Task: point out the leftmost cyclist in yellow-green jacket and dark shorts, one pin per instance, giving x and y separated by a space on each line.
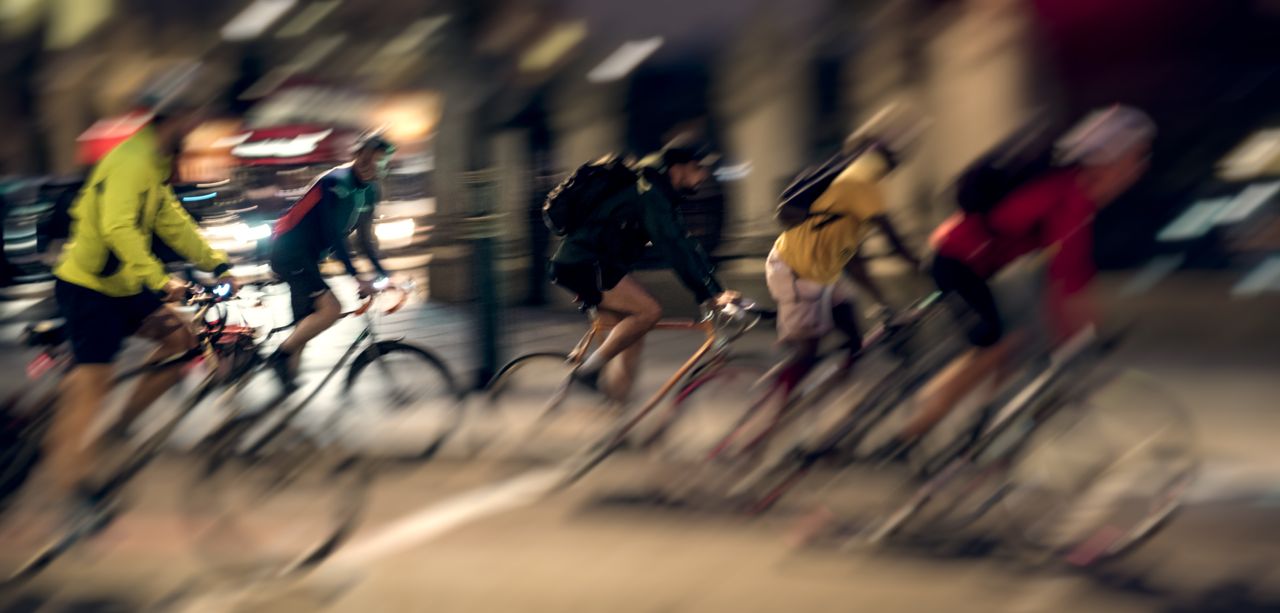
111 286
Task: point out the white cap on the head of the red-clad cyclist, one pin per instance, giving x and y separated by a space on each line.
1105 135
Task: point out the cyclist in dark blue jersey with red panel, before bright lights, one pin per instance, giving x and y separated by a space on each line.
317 226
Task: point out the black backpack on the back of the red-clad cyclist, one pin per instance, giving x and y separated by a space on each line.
1016 162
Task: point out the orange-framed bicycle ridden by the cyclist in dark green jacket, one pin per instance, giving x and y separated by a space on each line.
528 378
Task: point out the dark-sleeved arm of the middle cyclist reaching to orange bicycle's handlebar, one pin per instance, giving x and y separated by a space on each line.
668 232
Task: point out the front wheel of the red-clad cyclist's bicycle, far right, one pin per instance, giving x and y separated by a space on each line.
1103 473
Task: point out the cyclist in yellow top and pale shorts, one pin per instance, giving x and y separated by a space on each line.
804 269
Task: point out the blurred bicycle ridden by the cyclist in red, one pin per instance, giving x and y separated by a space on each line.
1008 456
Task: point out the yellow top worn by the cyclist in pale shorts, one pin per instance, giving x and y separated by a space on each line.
819 249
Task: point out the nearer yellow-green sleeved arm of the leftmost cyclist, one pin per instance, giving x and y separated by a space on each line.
121 202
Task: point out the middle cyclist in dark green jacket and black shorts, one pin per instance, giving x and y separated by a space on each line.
596 260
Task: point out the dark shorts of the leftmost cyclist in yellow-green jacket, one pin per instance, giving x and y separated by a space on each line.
98 324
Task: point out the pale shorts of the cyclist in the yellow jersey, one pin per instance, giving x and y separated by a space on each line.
804 306
